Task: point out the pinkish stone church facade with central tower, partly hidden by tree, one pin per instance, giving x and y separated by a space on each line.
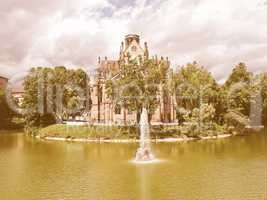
103 110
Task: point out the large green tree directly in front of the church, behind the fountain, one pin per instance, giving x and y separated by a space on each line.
137 85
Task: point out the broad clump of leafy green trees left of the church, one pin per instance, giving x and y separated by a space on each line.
49 90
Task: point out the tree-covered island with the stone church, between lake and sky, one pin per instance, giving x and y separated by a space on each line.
184 103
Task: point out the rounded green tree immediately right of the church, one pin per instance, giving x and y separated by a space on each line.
193 86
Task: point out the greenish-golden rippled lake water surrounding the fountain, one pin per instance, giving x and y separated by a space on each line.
230 169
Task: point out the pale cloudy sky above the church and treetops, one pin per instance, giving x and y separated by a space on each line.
218 34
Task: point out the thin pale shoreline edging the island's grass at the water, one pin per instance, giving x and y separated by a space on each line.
165 140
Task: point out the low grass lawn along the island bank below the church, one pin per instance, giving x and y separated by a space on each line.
120 132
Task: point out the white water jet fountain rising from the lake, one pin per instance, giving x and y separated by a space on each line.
144 153
